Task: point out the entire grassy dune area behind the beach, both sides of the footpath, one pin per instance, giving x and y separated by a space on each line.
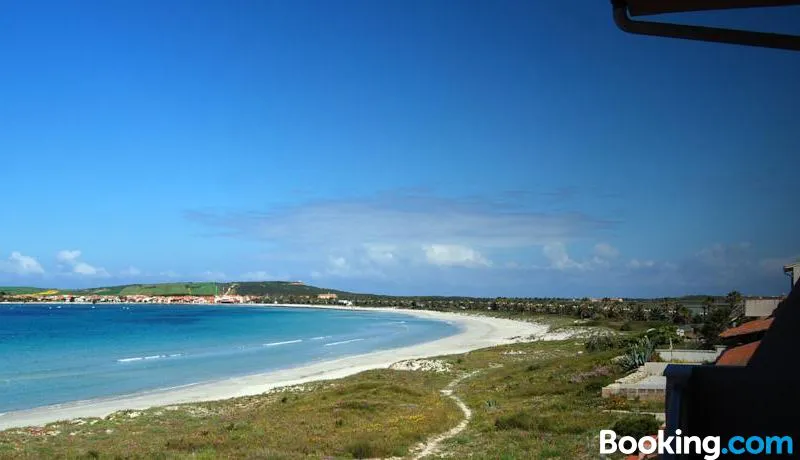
529 400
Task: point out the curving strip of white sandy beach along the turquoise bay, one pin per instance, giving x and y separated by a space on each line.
476 332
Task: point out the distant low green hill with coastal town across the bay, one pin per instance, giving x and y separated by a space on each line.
249 288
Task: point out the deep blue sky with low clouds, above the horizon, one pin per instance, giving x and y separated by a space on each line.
414 147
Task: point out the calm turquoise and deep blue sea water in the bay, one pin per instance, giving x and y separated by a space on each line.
52 355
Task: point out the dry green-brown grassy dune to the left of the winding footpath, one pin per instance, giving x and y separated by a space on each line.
373 414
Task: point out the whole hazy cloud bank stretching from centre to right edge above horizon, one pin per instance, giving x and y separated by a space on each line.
402 240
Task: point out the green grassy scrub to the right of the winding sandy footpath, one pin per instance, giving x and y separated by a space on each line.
538 400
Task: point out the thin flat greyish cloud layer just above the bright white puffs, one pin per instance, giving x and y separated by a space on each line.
402 221
